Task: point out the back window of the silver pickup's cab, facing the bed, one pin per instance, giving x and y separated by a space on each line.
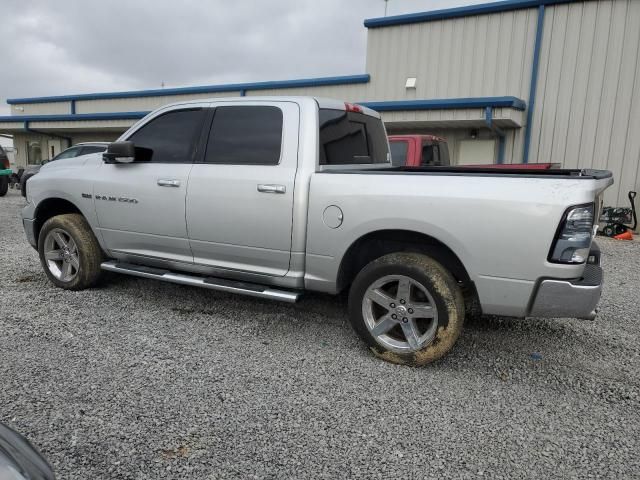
351 138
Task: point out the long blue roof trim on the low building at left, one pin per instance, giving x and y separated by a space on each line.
302 82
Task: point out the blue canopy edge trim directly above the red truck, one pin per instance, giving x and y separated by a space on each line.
447 104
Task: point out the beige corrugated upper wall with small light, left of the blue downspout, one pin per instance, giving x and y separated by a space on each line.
476 56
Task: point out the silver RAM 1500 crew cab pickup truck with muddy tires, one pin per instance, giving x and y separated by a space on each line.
274 196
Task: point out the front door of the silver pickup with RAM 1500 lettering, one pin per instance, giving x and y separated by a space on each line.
141 205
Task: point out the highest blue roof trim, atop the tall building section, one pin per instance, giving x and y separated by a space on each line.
483 8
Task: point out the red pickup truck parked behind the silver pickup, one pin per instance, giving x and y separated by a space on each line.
431 150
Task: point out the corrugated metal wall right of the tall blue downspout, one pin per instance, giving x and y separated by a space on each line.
588 109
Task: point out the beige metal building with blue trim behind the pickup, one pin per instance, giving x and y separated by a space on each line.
512 81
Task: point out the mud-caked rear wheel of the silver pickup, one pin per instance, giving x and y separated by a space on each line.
411 338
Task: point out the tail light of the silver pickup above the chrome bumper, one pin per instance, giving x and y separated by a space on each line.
575 232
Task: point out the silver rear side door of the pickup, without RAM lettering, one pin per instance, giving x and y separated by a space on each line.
240 216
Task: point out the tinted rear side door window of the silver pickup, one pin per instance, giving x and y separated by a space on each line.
245 135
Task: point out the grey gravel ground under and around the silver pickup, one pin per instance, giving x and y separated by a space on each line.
141 379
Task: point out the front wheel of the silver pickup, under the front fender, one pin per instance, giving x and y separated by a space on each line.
69 252
